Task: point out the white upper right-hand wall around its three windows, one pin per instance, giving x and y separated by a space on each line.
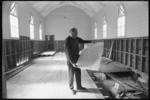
137 19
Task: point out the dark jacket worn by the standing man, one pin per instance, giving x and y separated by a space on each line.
72 48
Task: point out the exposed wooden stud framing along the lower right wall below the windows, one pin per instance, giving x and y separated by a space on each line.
132 52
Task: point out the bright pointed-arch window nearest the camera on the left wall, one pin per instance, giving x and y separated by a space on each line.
14 27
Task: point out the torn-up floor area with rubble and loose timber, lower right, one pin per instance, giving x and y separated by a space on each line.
120 82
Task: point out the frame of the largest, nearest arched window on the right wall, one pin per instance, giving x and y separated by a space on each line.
120 6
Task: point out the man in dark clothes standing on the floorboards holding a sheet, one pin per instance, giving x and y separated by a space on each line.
72 53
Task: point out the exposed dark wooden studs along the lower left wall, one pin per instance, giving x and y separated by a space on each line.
17 52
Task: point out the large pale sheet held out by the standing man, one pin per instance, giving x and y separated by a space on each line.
90 56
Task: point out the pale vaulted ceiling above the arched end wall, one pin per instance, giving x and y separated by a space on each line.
89 7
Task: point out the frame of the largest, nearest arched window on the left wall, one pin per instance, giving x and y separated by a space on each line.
10 14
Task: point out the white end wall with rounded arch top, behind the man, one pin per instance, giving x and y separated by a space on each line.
62 19
